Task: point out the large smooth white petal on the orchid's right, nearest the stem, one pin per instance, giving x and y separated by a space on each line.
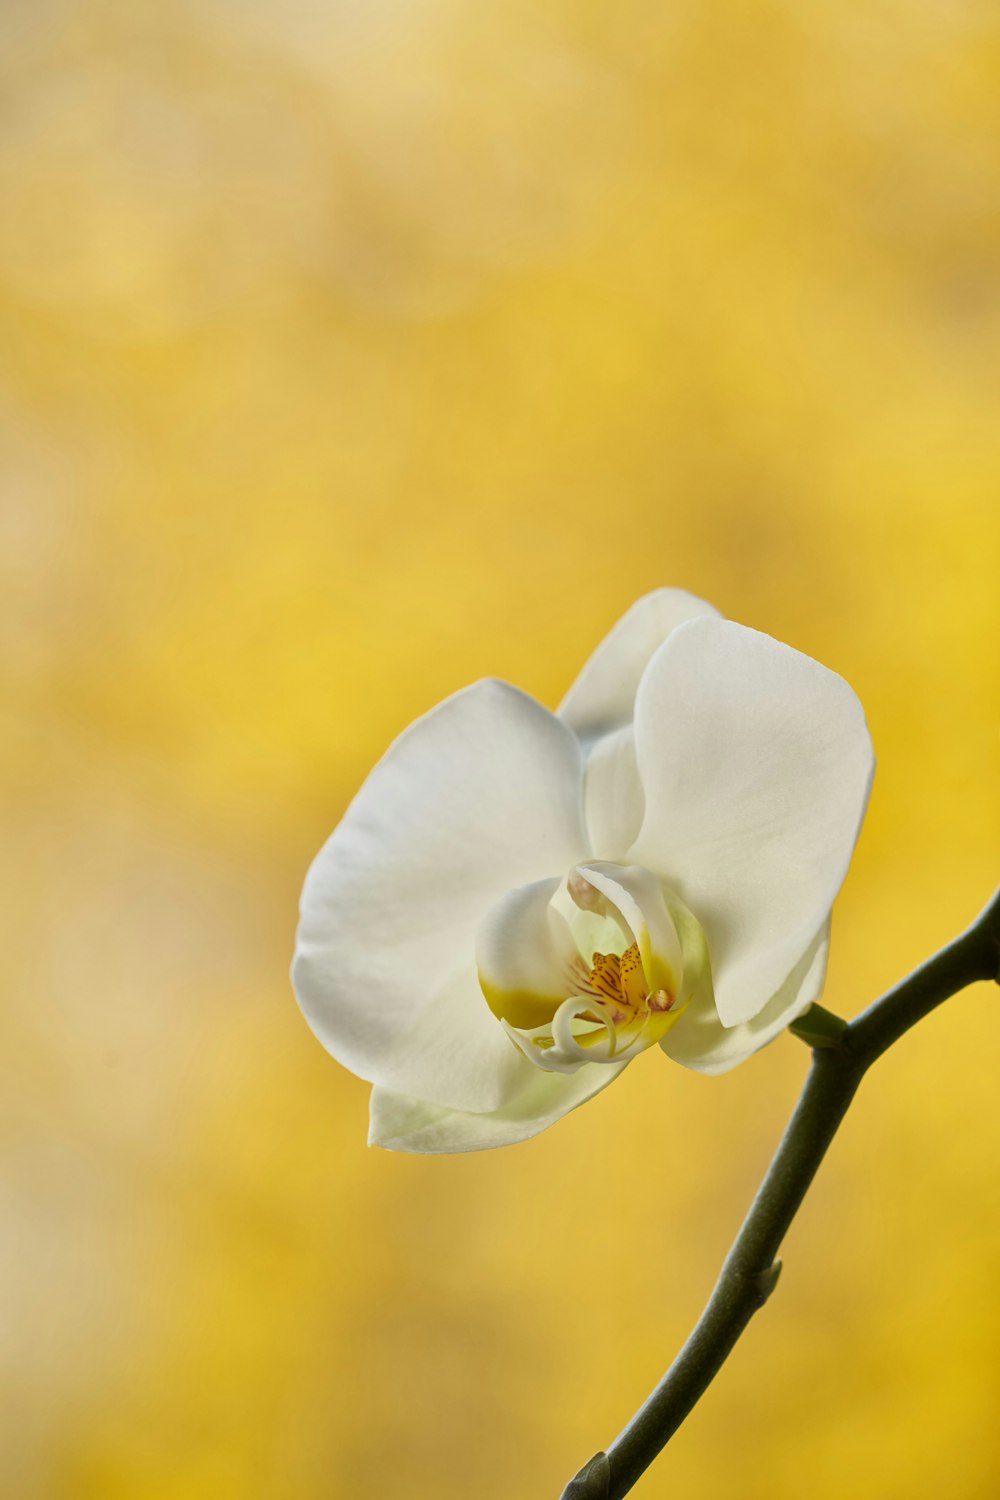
756 767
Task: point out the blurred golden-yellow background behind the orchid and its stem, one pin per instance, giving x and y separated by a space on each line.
355 352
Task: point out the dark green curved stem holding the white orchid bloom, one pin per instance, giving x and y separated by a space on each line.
752 1271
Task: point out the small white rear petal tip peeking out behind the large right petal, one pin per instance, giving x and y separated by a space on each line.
605 692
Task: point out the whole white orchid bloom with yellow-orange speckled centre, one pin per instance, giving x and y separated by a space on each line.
519 902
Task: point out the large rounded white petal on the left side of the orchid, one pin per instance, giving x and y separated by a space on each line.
481 796
